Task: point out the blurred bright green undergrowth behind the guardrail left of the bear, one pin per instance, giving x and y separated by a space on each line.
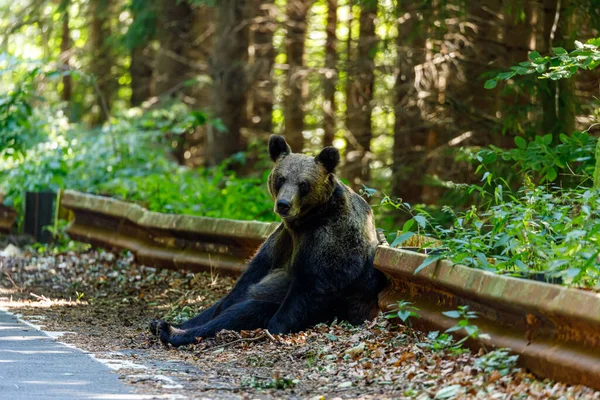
129 159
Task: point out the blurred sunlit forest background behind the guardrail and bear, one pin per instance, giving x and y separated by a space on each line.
170 103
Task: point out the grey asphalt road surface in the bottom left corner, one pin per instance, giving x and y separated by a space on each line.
34 366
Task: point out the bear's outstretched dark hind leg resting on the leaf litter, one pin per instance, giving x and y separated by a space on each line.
247 315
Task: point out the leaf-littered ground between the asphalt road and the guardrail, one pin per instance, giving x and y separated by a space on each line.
105 302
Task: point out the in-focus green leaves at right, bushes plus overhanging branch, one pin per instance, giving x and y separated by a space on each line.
547 229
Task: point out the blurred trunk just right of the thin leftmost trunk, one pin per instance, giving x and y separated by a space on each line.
103 59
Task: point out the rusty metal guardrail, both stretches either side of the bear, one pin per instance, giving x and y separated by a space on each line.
554 329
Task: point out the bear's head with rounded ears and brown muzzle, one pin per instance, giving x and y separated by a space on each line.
298 182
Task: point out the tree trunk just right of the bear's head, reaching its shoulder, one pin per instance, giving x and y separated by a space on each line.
360 95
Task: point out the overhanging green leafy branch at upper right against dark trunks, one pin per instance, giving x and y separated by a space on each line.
562 65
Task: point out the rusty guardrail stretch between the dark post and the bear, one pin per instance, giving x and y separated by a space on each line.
164 240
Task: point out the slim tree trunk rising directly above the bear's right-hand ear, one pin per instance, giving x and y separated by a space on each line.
330 74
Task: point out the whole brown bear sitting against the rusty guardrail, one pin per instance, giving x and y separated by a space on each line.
317 265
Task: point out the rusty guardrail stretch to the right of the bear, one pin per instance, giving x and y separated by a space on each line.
554 329
